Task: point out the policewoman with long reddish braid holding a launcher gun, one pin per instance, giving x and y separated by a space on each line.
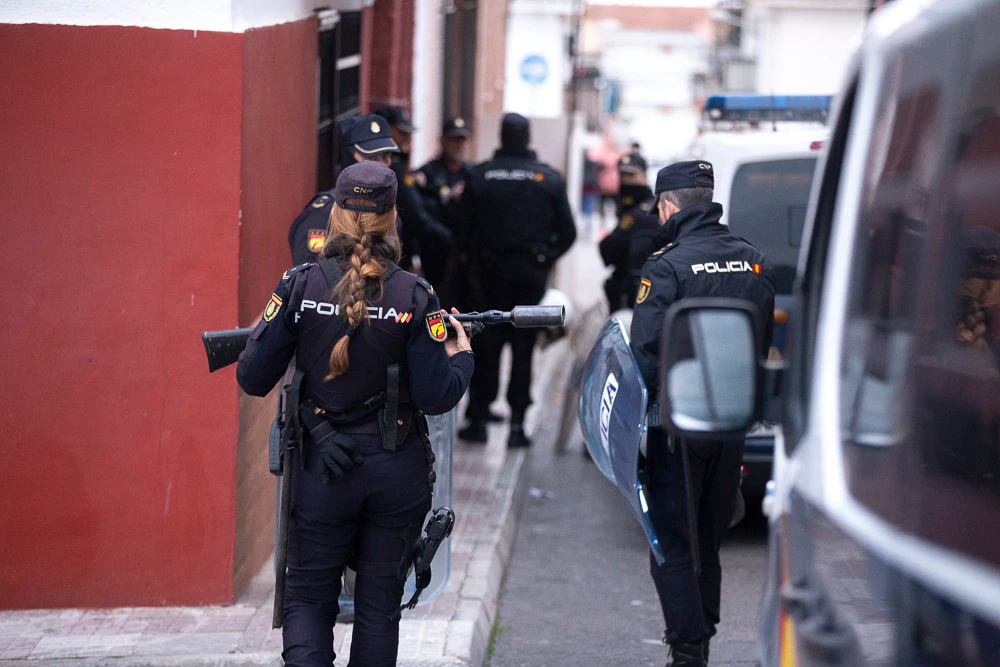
374 347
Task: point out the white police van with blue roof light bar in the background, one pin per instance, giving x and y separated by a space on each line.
764 150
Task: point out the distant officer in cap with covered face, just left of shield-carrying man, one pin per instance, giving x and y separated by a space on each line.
628 245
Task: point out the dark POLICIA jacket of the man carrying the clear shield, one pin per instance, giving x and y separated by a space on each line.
697 257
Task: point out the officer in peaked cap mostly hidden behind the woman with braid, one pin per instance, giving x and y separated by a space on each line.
361 138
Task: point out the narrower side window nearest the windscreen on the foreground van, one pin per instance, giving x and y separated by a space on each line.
901 175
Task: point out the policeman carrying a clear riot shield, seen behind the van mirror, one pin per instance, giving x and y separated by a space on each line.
696 257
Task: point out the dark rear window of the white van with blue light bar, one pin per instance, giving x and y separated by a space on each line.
768 208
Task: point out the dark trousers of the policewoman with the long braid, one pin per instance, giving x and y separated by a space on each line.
368 512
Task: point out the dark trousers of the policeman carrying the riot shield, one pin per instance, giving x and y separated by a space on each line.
691 603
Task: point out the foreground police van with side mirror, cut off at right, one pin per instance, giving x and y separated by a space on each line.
884 514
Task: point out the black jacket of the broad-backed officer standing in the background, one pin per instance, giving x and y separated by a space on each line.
514 204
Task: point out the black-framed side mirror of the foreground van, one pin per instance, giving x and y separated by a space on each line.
709 371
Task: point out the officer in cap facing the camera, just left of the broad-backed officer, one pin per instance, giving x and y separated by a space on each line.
440 183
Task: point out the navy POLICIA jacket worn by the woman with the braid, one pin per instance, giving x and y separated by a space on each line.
300 310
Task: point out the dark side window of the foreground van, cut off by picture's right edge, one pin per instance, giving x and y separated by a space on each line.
954 494
